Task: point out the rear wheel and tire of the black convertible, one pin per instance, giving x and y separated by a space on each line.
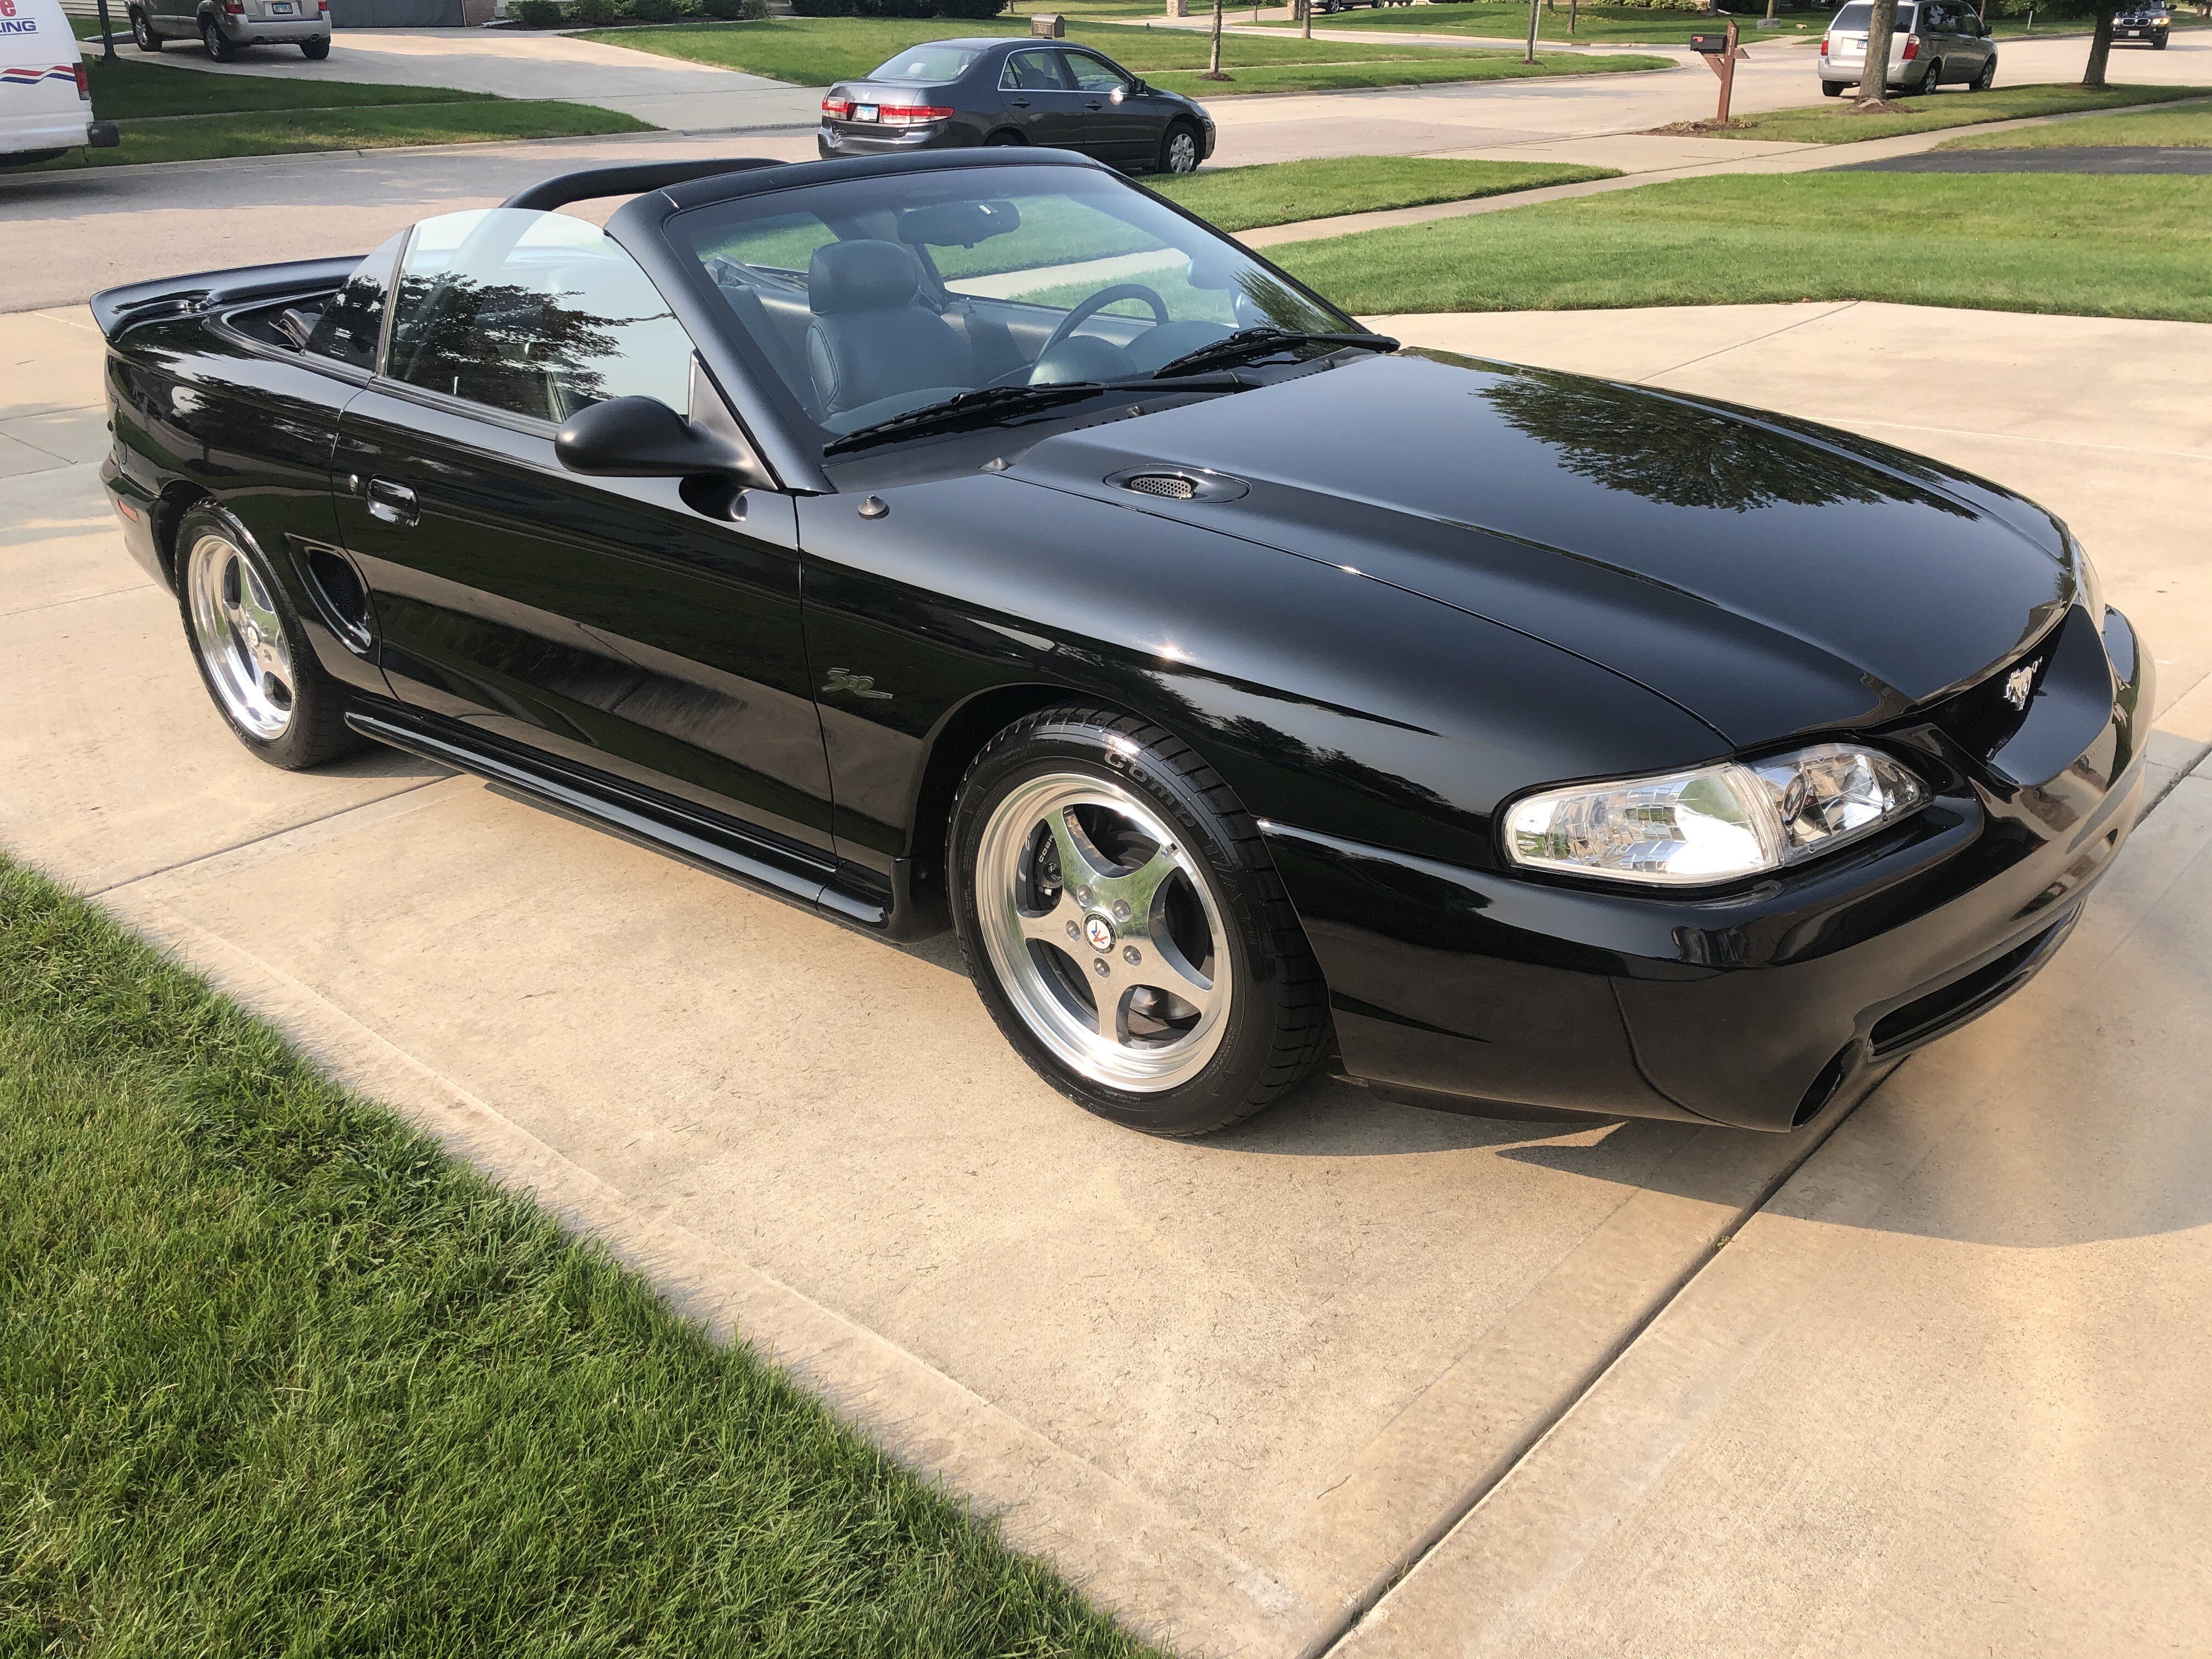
251 649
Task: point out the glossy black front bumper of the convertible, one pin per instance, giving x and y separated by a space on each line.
1757 1008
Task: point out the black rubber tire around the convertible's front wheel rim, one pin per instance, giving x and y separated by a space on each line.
1277 1019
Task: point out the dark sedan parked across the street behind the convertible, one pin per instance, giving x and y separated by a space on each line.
963 94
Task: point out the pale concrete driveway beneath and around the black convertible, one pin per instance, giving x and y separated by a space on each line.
1238 1388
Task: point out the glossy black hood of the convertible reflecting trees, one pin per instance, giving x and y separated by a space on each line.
1764 574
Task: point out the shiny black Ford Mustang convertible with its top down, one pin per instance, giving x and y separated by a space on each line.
979 541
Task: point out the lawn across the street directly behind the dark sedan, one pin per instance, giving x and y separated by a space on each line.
815 52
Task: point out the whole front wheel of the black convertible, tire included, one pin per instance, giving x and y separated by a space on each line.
1127 928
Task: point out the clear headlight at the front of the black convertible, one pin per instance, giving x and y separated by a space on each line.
1715 824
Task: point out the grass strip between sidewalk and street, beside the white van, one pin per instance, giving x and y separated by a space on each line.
205 138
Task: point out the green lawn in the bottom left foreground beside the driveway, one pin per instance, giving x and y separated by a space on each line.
278 1377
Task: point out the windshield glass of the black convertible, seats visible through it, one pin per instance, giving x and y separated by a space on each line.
873 298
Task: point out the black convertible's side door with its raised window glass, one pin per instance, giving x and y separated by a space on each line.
601 623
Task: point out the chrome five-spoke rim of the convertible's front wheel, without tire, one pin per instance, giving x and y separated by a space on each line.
1103 932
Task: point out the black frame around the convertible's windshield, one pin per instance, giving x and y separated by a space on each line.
791 446
